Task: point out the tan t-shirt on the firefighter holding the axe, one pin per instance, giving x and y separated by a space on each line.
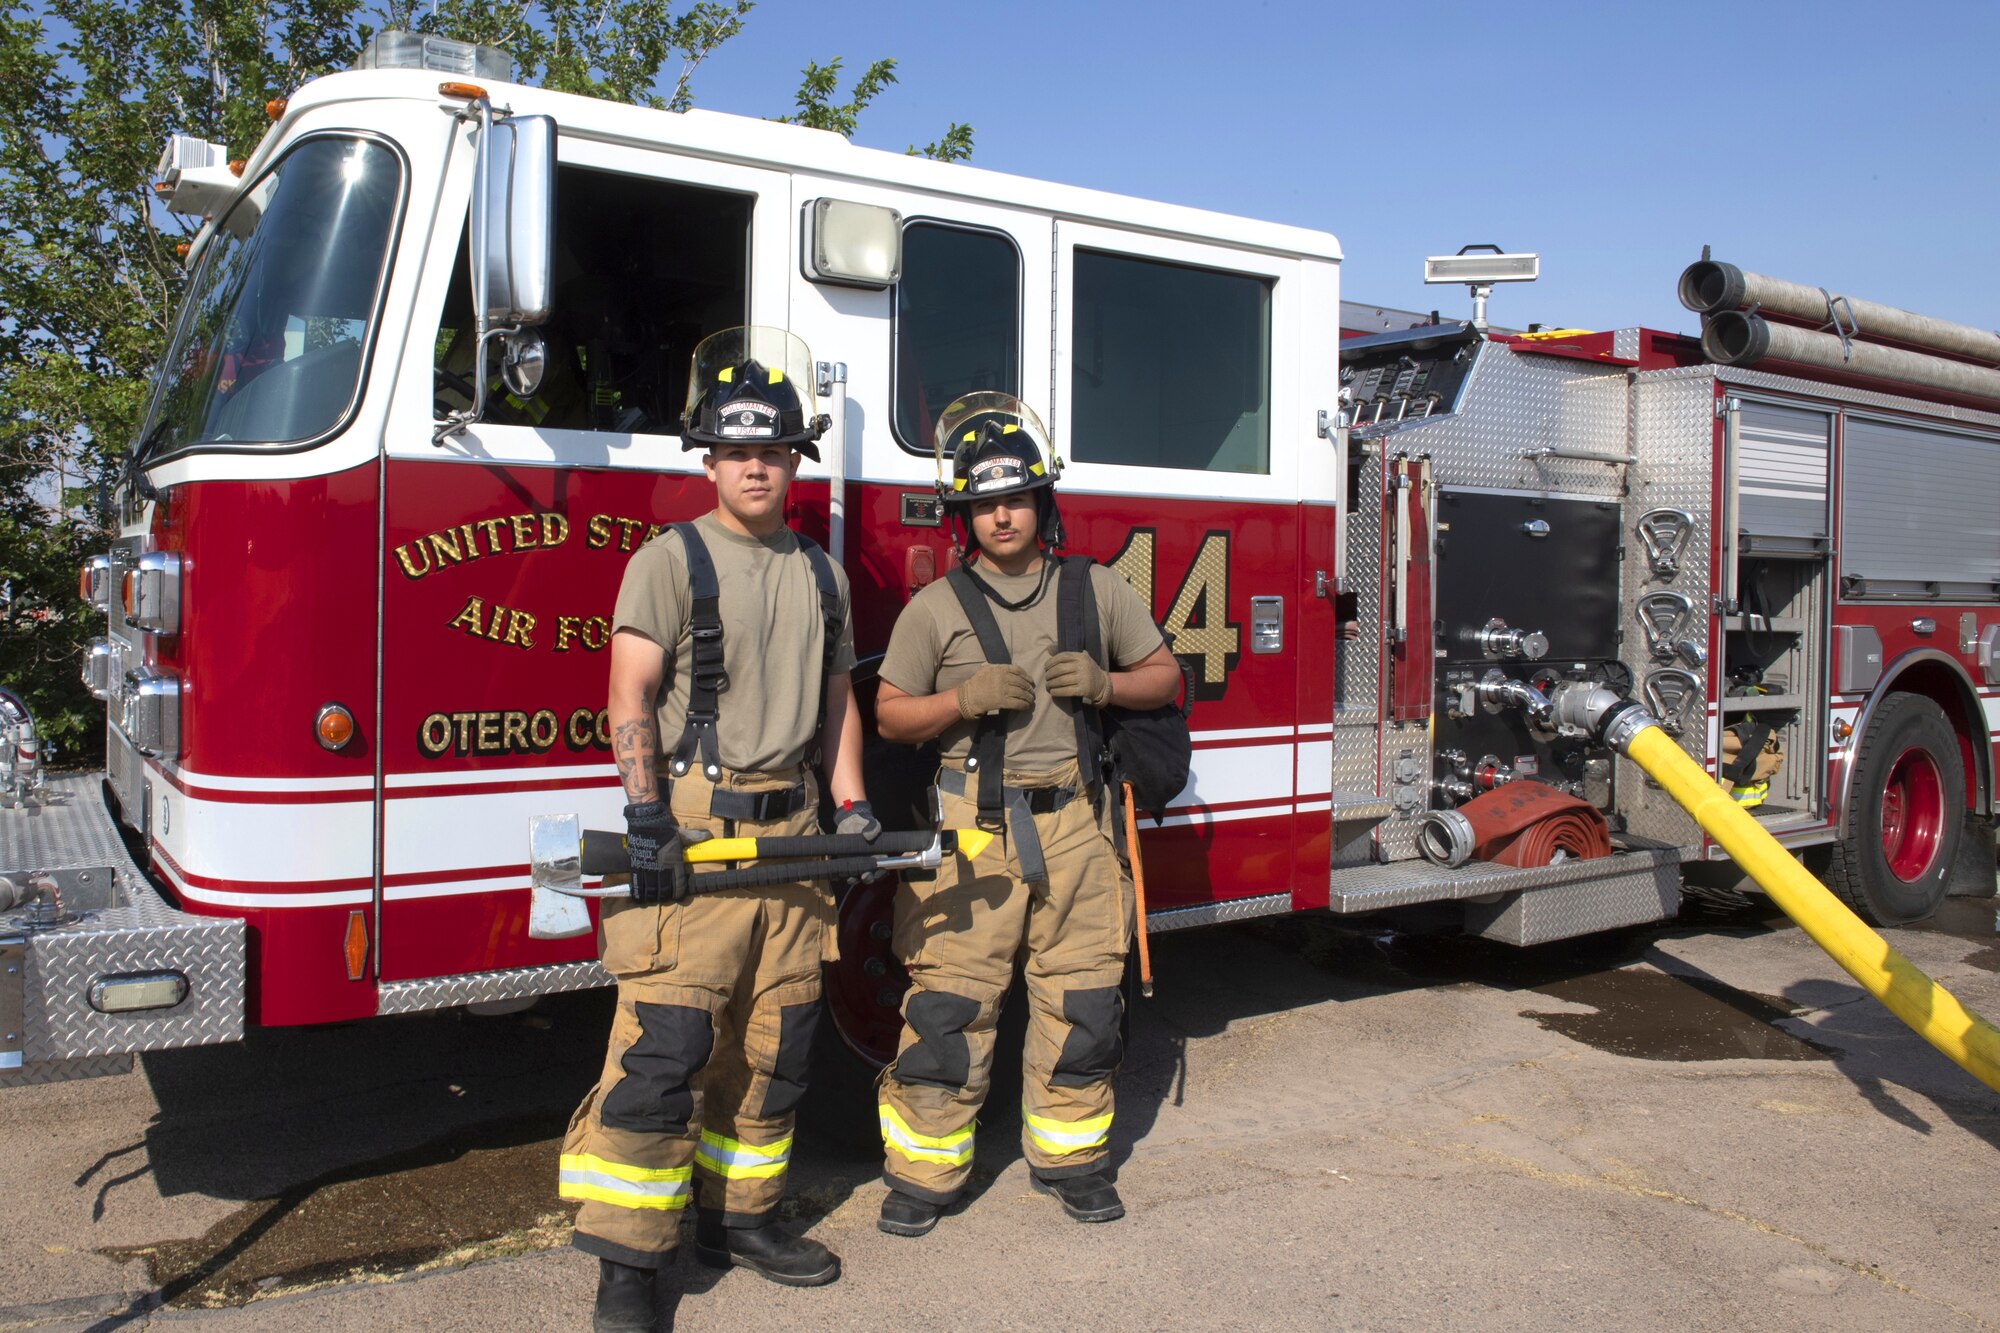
773 637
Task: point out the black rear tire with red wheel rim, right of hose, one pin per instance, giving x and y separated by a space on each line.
1905 816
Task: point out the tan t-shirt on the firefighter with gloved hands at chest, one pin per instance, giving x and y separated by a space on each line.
933 649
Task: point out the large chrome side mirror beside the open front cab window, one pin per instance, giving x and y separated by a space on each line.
519 213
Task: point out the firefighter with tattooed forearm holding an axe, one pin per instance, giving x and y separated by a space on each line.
731 665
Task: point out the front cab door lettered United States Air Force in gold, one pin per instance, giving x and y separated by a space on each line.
505 545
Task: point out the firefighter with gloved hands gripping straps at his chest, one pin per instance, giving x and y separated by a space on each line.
1051 888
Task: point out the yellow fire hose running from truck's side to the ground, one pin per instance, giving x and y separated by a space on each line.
1911 996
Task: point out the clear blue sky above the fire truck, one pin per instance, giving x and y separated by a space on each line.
1853 147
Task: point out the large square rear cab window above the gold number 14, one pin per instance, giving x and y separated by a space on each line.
1169 365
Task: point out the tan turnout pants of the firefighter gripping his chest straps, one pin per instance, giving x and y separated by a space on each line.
961 938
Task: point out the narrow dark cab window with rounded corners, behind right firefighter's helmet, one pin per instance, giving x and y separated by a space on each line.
957 323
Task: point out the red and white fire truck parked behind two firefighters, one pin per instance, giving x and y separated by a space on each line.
423 401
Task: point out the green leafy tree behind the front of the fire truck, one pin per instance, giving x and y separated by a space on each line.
91 269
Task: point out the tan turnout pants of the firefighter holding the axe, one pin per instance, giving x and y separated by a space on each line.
719 1000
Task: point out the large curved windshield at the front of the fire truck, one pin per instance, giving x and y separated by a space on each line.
269 347
